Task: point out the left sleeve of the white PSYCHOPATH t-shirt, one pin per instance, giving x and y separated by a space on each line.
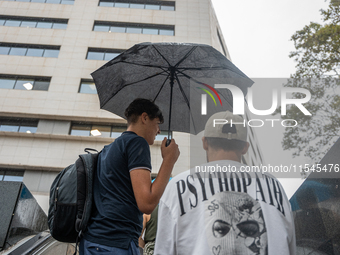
166 232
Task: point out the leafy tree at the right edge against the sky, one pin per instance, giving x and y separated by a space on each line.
318 68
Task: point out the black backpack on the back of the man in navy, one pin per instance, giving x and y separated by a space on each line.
71 198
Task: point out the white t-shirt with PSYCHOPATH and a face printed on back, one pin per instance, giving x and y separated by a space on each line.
229 214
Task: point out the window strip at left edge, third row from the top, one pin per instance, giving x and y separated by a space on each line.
29 50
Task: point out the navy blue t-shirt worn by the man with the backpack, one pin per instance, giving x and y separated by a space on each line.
116 219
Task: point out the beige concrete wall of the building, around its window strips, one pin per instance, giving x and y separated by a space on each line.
44 153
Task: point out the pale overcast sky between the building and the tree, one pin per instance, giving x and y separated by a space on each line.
257 34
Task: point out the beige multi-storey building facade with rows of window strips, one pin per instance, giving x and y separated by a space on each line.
49 110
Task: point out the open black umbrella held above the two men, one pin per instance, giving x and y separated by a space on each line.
174 76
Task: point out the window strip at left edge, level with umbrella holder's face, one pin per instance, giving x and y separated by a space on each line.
18 125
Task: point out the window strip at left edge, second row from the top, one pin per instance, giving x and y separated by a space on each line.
33 22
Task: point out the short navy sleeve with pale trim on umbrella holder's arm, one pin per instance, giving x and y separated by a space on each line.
138 154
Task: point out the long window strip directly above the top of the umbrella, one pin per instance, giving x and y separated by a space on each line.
134 28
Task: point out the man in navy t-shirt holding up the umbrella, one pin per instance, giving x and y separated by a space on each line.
122 185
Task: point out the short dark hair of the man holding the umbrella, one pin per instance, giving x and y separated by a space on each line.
140 105
